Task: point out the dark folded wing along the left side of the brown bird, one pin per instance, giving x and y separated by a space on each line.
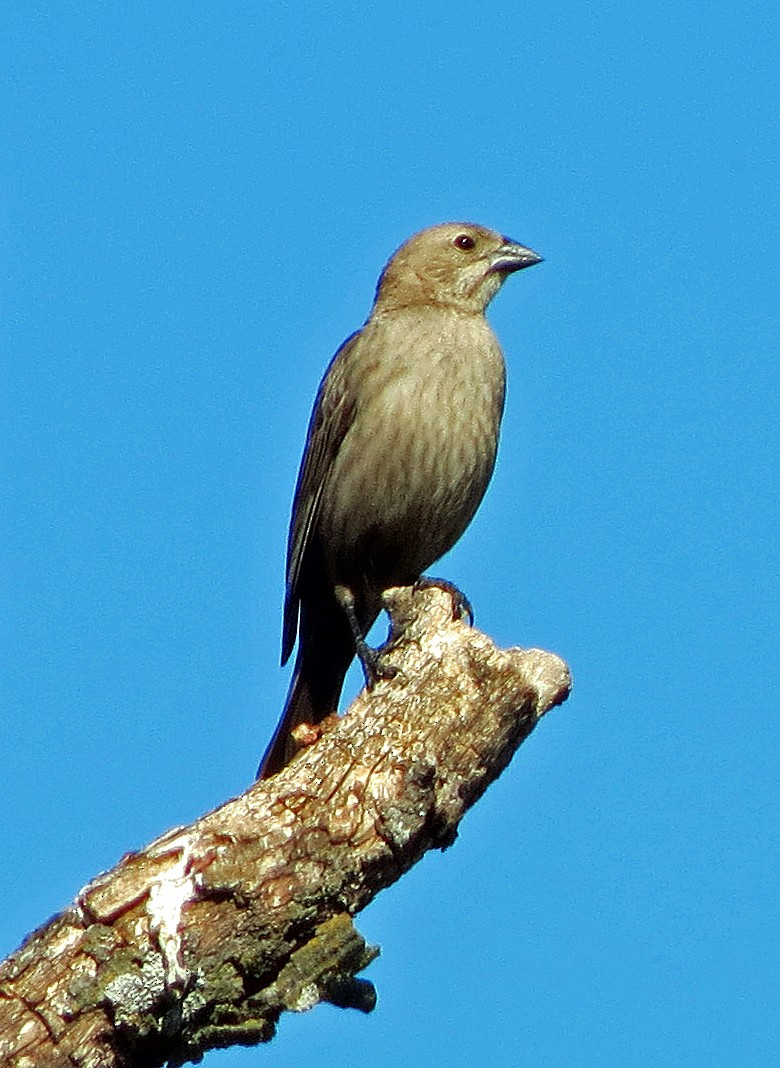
332 418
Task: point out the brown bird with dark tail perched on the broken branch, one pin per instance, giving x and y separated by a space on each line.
401 448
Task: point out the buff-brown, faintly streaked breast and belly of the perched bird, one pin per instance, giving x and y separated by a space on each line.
419 454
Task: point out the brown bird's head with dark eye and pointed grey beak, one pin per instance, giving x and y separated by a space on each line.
457 264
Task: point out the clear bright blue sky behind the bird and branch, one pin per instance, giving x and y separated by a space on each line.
196 202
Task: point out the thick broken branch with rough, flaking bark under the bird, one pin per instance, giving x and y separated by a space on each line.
202 939
